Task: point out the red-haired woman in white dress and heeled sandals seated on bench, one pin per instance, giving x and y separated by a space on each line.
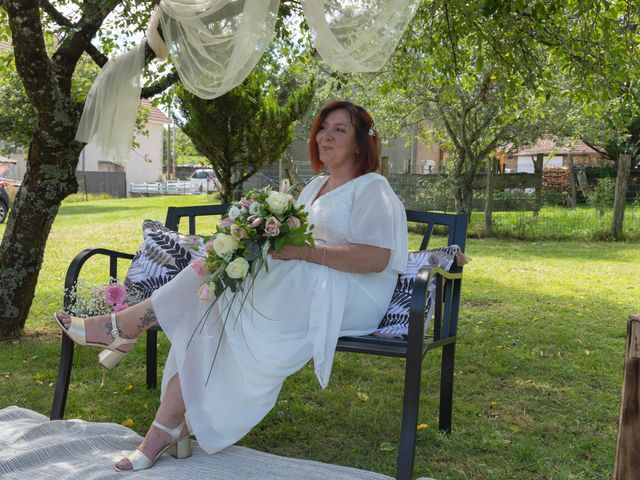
309 297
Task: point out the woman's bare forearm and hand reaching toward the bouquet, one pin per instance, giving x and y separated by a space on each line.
350 257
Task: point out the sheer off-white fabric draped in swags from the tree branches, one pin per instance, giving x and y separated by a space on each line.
214 45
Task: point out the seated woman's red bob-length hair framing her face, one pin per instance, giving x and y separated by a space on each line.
368 157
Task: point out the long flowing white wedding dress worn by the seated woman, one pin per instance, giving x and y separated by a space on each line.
293 313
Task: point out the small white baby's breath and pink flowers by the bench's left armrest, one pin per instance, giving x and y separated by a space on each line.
89 301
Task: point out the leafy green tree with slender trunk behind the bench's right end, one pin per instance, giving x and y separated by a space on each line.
468 81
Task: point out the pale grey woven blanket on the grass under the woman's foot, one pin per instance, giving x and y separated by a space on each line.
33 447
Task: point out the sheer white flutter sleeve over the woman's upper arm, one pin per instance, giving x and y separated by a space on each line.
379 219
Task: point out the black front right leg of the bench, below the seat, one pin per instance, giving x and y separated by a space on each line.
408 431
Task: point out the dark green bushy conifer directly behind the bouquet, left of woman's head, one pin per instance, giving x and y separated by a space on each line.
247 128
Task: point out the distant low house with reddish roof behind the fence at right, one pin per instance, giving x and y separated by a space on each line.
556 155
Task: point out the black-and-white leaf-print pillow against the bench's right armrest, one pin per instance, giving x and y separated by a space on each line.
395 323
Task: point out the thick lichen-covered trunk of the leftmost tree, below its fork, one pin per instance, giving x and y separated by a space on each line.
50 177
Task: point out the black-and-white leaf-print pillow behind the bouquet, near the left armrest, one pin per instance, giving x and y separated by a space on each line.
162 255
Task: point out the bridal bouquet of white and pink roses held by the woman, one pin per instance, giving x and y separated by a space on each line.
261 220
